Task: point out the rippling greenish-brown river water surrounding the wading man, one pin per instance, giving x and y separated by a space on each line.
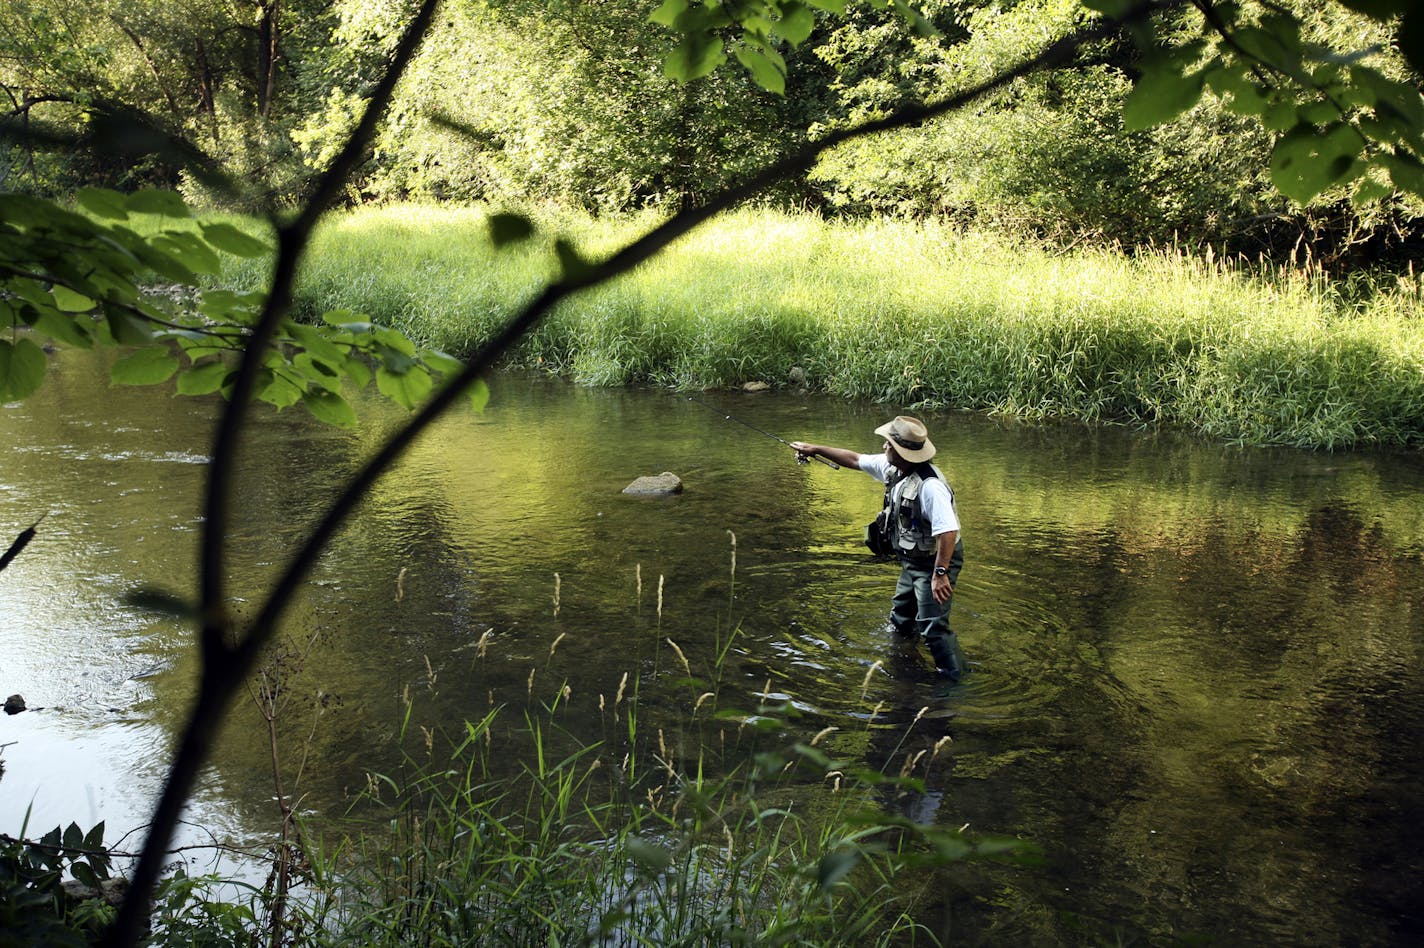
1198 667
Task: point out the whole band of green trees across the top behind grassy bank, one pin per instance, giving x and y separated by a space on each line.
1204 122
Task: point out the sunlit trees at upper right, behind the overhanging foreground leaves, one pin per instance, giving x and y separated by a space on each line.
1086 153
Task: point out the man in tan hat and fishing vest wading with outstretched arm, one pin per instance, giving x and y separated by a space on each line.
921 527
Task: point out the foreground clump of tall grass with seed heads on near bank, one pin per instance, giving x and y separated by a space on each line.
627 843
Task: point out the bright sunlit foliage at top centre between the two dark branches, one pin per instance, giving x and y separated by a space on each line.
516 102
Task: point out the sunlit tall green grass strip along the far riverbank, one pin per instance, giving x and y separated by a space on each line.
915 315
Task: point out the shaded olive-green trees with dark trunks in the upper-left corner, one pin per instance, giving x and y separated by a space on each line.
221 79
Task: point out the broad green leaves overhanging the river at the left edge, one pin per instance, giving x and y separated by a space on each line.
83 281
